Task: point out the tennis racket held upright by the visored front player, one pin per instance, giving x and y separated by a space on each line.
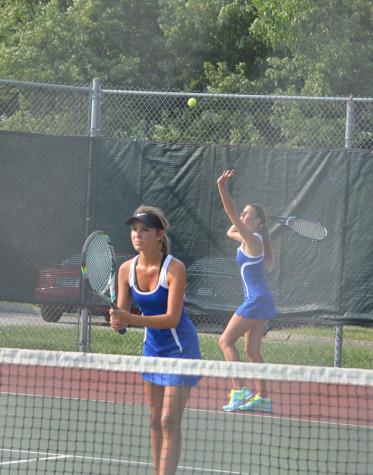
98 267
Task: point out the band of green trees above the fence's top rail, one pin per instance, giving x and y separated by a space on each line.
267 46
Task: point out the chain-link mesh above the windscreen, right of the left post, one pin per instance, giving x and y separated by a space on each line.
255 121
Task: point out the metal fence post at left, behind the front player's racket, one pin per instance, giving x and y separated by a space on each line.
83 323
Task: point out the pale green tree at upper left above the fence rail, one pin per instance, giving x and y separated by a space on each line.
73 41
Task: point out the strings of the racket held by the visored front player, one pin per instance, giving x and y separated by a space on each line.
100 263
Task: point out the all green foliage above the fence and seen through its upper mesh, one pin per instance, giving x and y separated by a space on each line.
297 47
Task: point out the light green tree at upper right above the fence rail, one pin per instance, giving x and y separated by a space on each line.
319 48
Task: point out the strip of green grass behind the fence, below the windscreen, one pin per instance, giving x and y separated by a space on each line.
274 351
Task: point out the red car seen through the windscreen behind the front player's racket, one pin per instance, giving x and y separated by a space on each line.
58 289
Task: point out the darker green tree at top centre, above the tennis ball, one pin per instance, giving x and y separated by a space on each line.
213 36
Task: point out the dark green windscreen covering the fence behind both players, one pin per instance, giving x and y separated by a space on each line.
47 207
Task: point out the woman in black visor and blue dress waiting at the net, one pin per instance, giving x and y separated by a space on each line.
156 282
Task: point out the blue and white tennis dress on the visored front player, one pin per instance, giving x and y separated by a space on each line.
179 342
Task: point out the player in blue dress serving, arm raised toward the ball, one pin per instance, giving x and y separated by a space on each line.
258 306
